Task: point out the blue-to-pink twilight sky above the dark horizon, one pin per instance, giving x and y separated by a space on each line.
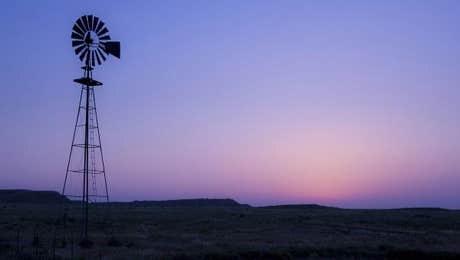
344 103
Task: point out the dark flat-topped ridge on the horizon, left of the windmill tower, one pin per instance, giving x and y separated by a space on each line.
30 196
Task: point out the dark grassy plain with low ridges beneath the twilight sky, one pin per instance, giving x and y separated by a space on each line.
225 229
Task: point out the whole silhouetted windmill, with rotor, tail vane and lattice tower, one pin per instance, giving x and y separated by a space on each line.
85 175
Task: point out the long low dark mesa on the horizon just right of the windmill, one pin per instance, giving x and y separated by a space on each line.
185 203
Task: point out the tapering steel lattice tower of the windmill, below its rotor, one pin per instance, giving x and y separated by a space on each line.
86 141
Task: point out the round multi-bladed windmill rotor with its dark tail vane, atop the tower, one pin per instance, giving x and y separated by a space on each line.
91 41
